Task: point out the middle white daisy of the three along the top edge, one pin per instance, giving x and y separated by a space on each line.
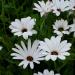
60 6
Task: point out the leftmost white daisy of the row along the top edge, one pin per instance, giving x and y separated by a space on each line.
43 7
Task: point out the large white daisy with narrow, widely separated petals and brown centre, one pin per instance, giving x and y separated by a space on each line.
29 55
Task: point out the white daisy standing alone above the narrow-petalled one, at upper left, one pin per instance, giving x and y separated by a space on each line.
24 27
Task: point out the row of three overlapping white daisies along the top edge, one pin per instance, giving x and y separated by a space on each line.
54 6
